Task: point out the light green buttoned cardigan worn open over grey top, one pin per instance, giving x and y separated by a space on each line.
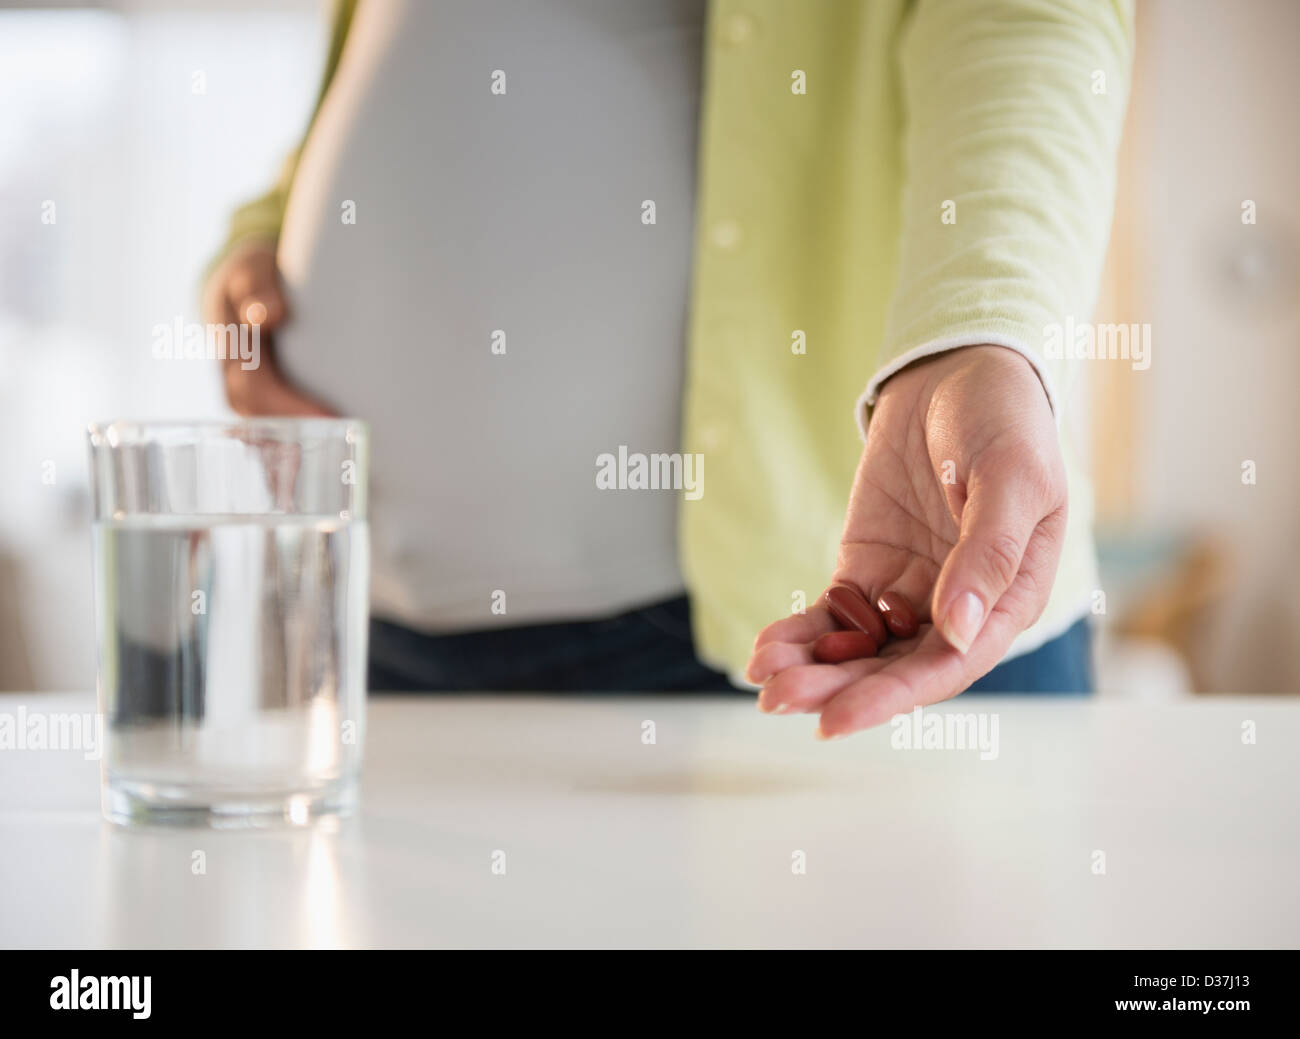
879 180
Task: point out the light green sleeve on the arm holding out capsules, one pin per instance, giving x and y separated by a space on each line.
1013 116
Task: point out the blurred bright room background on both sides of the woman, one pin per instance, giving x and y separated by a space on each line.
132 129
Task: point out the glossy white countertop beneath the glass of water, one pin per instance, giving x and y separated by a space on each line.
691 841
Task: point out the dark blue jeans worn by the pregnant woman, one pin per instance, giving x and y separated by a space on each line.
648 650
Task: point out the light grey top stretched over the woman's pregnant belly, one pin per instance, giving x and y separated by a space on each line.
519 213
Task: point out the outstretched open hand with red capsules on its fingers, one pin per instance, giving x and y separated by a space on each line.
960 505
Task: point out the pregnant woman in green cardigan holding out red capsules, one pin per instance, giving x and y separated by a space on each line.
525 240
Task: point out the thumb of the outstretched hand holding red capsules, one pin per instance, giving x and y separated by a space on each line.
1003 509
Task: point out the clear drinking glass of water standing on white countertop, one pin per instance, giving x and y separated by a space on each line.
232 579
